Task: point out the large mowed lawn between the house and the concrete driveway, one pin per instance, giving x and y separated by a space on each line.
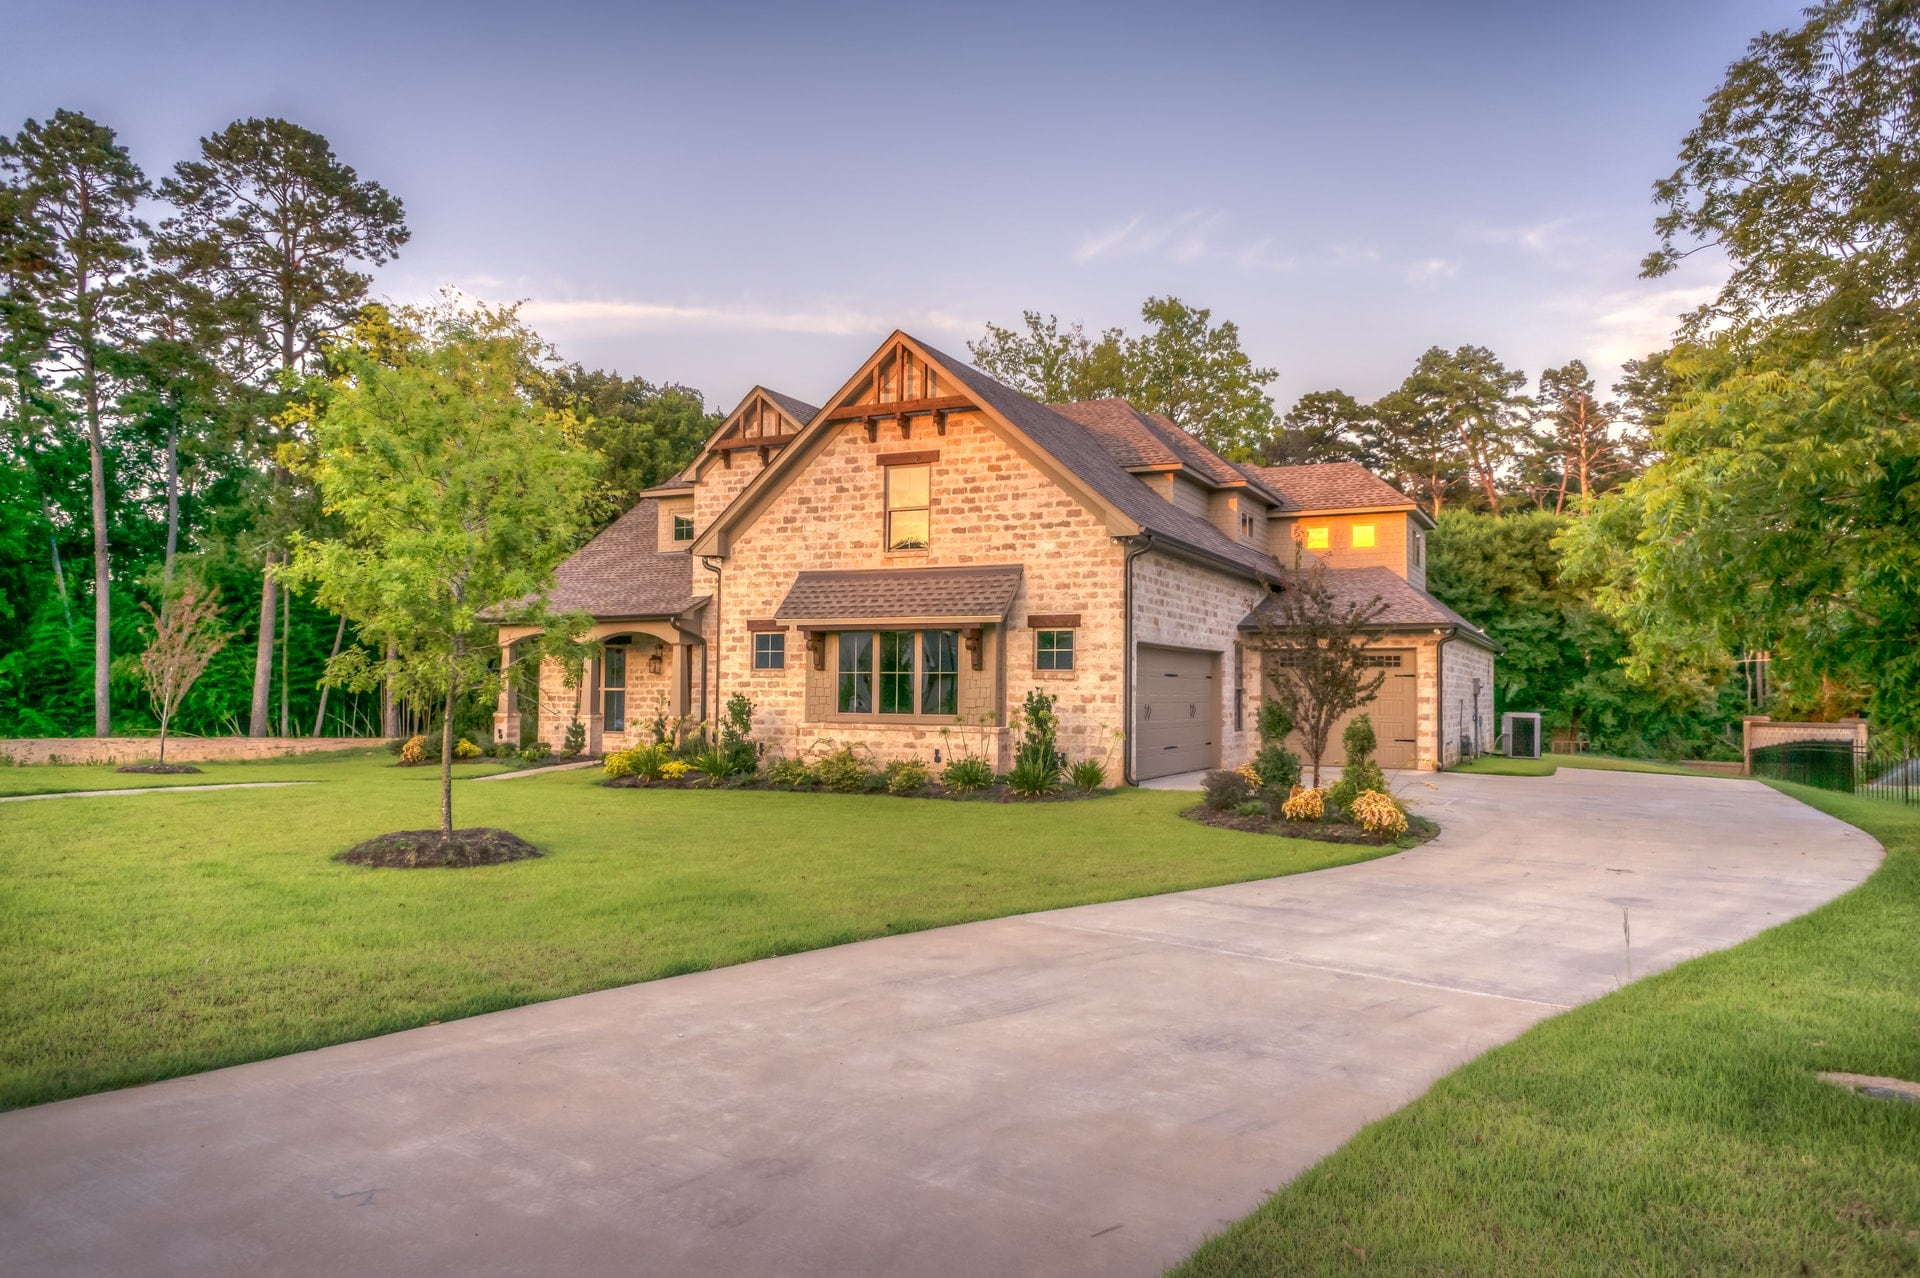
158 935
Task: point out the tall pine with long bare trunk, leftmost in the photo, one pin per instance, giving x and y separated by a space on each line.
76 193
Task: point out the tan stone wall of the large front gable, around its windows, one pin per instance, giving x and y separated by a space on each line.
990 508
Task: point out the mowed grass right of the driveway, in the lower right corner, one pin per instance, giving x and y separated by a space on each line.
1673 1127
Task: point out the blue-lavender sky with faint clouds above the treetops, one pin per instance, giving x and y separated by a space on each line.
729 195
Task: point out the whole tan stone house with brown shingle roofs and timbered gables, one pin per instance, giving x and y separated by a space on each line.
901 567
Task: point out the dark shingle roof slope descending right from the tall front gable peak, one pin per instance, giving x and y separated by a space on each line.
1076 448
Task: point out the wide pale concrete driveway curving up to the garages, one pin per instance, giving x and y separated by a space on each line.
1076 1093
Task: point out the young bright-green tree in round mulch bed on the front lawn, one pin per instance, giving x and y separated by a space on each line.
456 496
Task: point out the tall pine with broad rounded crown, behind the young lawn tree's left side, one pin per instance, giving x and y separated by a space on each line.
270 225
